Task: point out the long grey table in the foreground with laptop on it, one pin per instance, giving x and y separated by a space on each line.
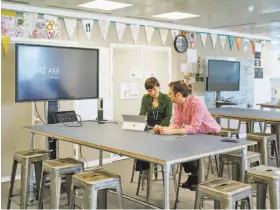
159 149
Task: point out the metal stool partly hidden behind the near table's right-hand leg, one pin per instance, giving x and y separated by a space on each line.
235 159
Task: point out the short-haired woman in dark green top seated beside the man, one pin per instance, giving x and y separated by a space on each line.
157 107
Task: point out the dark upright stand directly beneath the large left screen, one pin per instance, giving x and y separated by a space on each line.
52 143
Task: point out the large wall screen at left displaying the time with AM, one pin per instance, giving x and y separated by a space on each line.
54 73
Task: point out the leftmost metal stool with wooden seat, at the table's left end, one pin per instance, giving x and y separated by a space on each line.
26 158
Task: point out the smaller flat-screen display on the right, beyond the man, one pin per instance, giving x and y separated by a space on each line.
223 75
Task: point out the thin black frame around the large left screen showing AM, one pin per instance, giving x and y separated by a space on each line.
51 46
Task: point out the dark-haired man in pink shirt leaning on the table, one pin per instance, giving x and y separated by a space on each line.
191 117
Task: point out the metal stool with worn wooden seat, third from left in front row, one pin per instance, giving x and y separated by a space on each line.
93 181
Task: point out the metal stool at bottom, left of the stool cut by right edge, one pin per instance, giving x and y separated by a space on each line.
224 192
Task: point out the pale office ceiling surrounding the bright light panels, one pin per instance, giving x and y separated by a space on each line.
215 14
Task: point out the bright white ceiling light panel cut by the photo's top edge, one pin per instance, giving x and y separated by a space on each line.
104 5
